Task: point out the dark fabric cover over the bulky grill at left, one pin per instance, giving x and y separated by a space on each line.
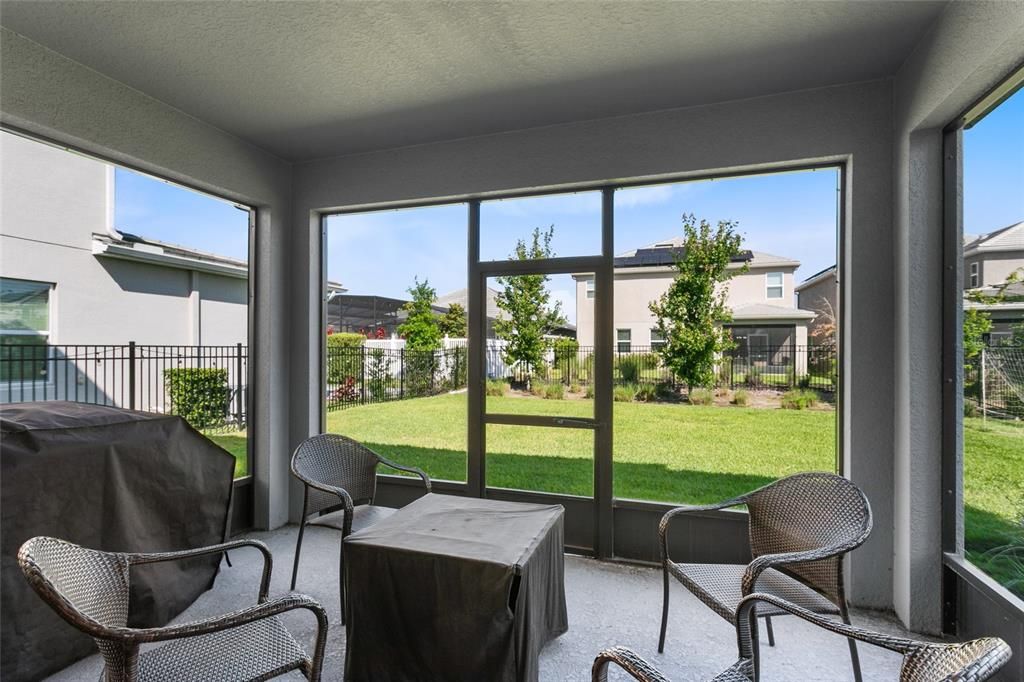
111 480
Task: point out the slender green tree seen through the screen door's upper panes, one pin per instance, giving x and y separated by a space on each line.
525 300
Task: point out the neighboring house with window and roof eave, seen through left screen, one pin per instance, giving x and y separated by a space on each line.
69 277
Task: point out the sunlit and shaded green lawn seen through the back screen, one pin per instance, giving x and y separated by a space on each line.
668 453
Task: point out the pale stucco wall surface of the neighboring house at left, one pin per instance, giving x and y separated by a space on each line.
52 202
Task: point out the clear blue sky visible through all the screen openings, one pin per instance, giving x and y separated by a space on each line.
790 215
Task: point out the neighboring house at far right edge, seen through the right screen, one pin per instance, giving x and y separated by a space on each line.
989 262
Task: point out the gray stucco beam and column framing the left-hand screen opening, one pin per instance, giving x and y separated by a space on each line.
50 96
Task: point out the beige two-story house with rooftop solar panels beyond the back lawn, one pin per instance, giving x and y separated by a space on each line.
761 300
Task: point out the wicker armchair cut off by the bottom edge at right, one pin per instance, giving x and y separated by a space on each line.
968 662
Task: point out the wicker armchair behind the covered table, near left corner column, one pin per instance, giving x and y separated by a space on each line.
340 482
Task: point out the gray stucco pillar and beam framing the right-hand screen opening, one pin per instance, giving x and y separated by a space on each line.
970 50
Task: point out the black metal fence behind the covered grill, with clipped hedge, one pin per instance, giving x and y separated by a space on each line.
205 385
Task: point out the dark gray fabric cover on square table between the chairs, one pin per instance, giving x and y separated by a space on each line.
455 589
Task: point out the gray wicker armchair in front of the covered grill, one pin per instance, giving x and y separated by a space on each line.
90 589
